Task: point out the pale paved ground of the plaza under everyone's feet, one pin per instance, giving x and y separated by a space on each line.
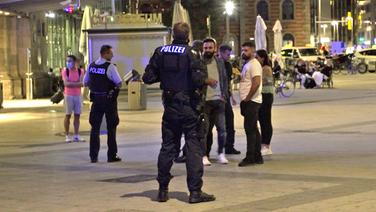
324 159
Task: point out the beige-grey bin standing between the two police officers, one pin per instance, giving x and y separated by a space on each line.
136 95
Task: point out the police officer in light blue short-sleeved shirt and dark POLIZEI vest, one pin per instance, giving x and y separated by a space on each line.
104 83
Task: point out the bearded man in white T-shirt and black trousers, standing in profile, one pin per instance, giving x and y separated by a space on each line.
251 99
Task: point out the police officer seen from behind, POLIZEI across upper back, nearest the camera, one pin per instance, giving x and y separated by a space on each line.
179 72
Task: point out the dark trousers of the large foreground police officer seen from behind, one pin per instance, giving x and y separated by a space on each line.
179 116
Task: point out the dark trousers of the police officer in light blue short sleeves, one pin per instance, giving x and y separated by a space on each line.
108 106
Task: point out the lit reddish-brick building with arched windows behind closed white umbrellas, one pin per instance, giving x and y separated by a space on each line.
293 14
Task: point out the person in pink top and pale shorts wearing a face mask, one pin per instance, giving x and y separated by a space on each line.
72 78
